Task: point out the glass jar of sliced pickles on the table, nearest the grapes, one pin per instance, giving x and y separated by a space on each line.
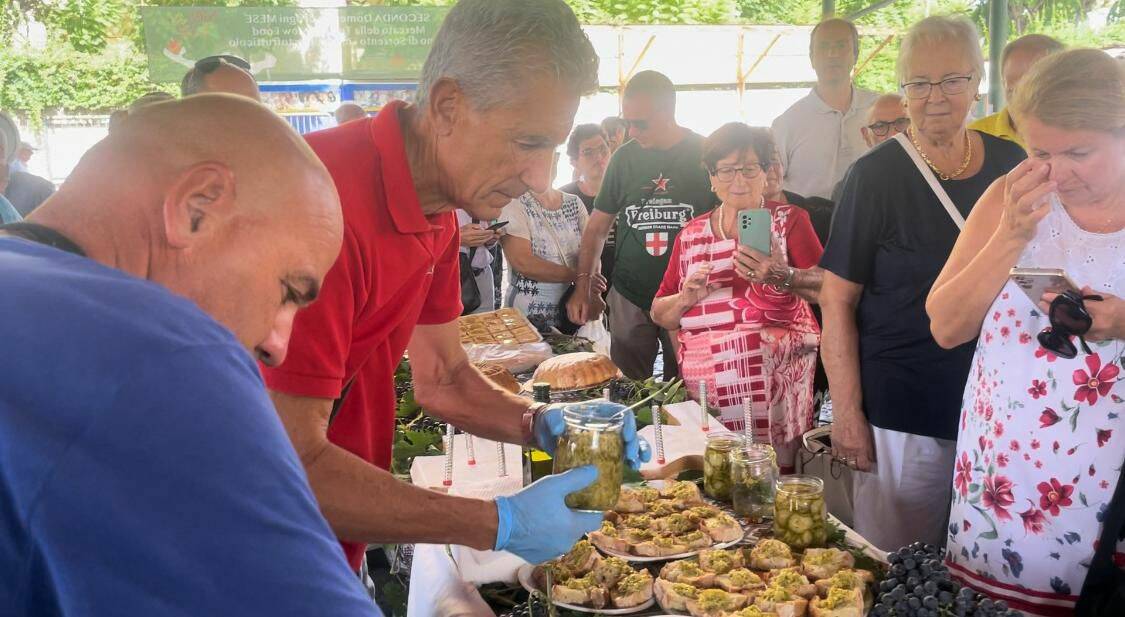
800 520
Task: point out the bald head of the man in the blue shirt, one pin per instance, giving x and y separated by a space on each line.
219 200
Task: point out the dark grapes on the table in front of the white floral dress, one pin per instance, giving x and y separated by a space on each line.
919 585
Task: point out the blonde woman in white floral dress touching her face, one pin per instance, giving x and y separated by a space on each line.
1042 439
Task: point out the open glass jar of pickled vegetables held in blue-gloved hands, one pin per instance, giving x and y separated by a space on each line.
593 437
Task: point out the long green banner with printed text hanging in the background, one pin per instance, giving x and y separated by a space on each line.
294 44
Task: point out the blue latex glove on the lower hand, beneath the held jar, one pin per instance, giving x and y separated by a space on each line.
537 526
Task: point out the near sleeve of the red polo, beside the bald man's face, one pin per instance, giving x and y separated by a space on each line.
322 334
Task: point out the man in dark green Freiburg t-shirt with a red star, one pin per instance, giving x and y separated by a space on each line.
653 187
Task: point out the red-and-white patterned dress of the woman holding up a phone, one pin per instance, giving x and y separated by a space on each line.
750 341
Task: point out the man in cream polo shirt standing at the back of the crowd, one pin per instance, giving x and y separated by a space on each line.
818 137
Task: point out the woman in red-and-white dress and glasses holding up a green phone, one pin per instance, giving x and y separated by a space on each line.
743 317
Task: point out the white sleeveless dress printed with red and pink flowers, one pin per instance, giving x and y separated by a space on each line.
1042 439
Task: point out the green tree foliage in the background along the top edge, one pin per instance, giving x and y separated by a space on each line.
94 59
